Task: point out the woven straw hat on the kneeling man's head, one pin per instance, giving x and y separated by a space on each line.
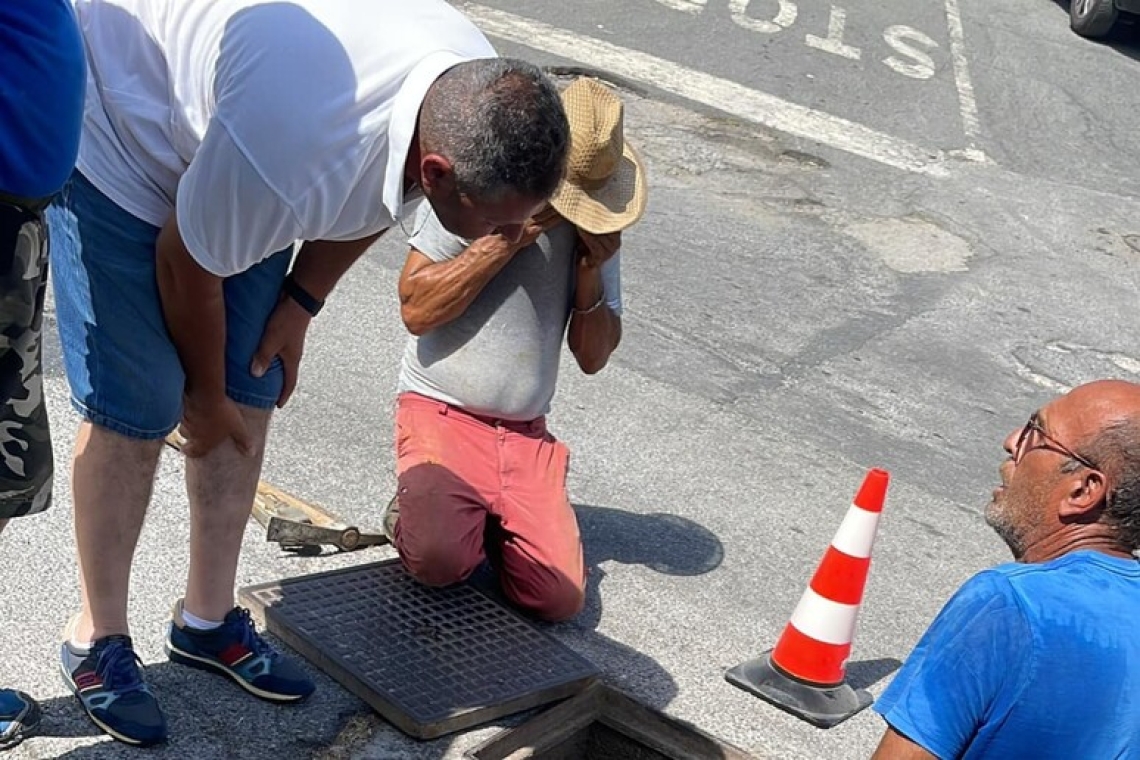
604 190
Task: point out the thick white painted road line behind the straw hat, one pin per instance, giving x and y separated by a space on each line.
715 93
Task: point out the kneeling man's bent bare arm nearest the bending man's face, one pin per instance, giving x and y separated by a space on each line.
435 293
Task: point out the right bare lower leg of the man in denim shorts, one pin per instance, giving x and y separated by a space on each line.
222 487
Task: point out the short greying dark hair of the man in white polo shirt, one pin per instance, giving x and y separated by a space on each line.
501 124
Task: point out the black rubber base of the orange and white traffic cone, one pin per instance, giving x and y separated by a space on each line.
820 706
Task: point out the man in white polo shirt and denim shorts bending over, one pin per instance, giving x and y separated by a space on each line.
217 134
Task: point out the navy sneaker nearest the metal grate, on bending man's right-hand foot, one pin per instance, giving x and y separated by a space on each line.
237 650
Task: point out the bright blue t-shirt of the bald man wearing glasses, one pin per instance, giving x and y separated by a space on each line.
1029 661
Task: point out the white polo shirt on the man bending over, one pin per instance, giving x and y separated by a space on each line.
265 122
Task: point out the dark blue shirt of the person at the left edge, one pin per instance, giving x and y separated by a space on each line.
43 81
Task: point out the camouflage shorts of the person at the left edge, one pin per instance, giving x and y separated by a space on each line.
26 444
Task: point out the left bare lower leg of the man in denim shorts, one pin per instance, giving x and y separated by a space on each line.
112 481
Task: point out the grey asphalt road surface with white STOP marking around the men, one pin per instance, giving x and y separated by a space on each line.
878 238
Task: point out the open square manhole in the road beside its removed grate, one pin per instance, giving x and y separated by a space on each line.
604 724
